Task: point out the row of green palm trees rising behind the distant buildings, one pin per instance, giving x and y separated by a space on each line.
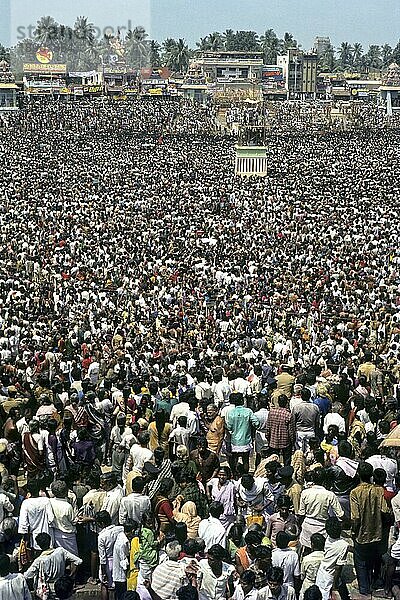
82 49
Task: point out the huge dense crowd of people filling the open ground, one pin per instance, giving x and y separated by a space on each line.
199 373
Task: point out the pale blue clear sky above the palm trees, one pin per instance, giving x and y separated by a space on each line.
365 21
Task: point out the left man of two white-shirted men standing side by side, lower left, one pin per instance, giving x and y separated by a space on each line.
36 515
